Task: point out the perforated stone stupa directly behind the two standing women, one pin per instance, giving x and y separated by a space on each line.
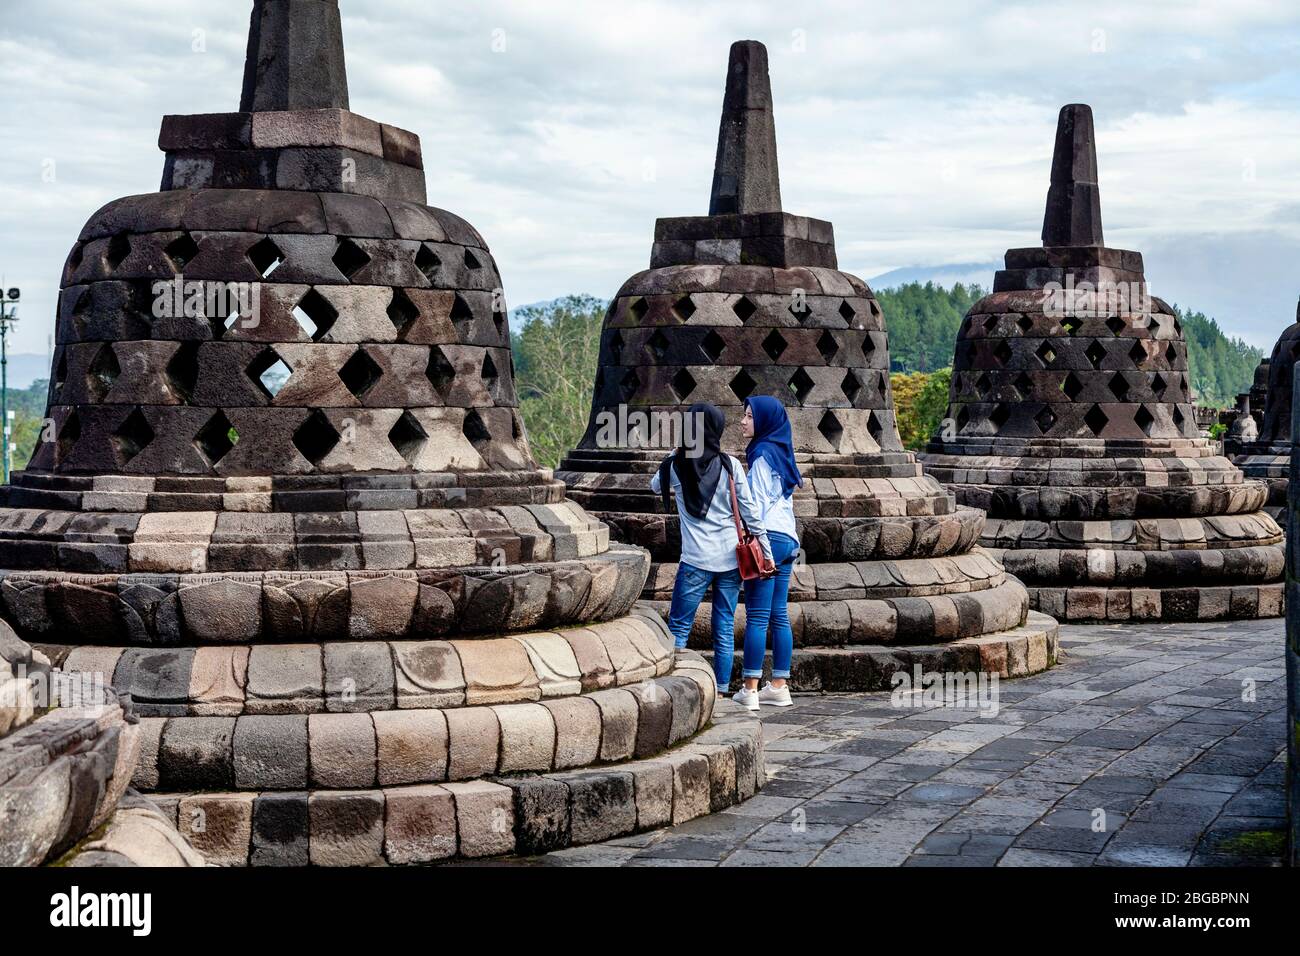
749 301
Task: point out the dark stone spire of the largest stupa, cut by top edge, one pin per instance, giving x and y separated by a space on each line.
296 58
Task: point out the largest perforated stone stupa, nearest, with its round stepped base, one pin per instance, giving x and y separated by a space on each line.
307 537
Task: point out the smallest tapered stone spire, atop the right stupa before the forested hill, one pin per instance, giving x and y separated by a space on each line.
1073 217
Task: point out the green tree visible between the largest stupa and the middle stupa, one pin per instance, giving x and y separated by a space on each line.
557 351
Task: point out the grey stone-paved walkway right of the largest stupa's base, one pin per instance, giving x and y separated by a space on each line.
1146 724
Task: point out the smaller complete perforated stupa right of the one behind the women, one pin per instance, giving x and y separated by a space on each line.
1072 423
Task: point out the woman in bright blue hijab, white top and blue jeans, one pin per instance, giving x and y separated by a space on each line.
773 479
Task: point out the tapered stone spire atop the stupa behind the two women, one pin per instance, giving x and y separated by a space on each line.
746 174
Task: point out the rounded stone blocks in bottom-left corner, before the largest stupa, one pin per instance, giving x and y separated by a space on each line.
68 750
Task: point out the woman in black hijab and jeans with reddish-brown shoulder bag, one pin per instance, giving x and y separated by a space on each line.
699 475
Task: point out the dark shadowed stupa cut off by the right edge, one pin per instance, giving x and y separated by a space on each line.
1268 457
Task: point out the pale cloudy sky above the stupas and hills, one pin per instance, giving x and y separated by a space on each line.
562 131
